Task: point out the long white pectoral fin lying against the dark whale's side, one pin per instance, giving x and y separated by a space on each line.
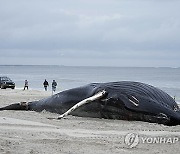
97 96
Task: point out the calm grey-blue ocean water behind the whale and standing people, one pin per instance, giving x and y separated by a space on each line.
167 79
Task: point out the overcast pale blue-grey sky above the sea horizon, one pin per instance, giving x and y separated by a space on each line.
90 32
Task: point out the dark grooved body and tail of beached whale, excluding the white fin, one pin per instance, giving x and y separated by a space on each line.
125 100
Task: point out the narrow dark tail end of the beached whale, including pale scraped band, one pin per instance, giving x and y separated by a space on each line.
16 106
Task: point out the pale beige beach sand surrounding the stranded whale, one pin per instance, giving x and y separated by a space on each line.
29 132
